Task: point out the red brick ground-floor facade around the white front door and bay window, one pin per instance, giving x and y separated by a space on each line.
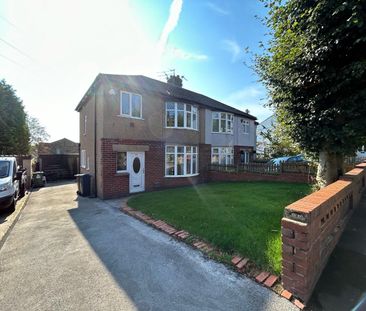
117 184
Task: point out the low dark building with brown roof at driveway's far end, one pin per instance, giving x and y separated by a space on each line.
58 159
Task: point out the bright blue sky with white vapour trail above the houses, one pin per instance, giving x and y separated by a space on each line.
51 51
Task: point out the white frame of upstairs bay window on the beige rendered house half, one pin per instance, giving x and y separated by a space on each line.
193 116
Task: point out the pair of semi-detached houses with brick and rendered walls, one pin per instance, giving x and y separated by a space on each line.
140 134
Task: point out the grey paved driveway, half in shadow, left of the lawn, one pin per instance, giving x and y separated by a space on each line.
69 253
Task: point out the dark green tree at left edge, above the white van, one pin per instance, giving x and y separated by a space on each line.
14 132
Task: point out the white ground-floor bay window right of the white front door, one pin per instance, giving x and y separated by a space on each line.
181 160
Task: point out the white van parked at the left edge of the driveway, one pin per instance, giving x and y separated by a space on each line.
9 183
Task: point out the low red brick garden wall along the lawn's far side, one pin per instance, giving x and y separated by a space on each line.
246 176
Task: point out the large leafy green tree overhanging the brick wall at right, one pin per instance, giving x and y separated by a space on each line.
314 67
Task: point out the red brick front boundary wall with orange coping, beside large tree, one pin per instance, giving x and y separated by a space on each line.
311 228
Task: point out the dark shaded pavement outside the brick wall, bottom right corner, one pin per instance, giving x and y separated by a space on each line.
342 285
